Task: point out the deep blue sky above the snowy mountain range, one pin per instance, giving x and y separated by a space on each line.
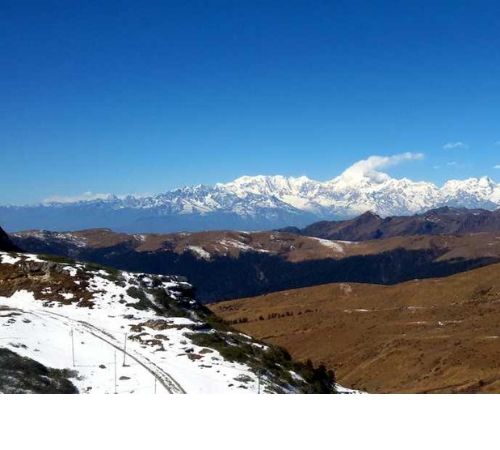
142 97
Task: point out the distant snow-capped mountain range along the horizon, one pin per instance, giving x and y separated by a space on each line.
257 202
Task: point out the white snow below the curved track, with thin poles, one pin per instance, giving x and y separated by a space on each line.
49 339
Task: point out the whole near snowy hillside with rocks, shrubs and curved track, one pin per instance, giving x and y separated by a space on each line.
111 331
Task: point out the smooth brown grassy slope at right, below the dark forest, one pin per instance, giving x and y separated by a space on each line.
436 335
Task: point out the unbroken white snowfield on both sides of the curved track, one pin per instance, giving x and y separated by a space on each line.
44 334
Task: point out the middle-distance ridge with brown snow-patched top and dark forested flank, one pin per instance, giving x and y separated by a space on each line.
226 264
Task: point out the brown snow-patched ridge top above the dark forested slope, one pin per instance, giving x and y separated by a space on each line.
289 246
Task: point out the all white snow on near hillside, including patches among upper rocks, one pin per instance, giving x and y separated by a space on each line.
57 331
